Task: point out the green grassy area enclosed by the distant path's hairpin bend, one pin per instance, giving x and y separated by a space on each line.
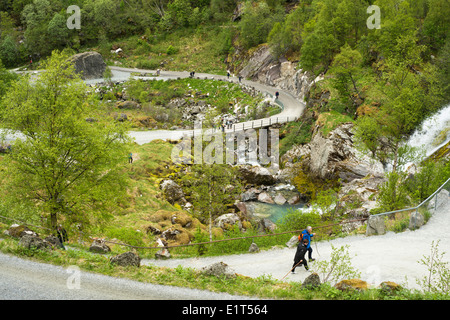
154 97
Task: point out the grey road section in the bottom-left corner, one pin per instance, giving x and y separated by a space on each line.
22 279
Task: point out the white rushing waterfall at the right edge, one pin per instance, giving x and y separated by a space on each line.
433 133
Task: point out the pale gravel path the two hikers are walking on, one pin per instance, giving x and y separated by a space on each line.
389 257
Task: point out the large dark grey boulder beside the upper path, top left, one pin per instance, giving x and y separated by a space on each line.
89 65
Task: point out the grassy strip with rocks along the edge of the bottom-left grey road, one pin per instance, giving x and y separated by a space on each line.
264 287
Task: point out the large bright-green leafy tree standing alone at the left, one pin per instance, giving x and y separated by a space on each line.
70 168
